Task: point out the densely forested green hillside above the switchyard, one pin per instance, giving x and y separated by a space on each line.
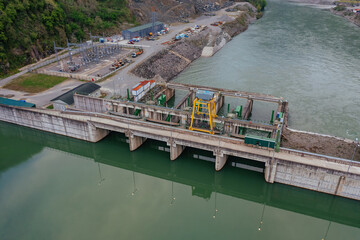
29 27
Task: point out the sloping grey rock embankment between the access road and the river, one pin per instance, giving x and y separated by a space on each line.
169 62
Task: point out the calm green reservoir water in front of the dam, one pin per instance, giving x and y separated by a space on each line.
61 188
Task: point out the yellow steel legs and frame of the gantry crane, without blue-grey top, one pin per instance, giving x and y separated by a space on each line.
198 106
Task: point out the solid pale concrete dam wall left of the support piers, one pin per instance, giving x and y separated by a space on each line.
50 123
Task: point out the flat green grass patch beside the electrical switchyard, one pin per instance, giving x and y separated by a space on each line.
34 83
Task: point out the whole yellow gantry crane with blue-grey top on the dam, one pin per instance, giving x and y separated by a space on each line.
204 104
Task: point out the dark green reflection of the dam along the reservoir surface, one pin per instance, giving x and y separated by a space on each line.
200 176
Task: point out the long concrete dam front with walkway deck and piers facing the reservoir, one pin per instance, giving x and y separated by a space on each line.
317 172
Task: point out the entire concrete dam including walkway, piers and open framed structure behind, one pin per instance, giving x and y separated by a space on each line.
92 118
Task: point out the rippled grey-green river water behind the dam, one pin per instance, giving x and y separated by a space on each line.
306 55
